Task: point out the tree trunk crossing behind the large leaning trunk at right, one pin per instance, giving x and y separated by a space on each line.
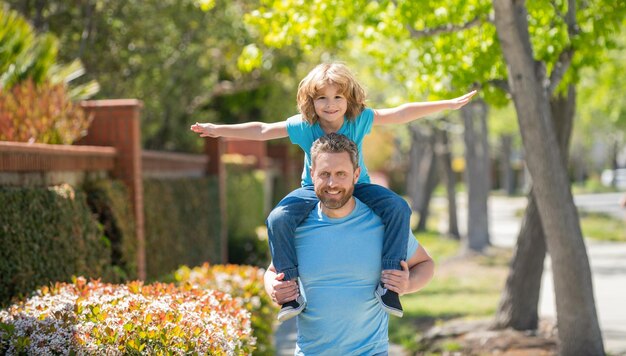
518 307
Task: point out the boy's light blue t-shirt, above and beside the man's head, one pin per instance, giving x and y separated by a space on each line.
304 134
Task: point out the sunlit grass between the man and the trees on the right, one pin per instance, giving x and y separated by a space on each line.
463 287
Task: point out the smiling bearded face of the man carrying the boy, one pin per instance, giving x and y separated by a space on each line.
334 178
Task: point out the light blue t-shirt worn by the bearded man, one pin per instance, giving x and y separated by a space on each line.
340 265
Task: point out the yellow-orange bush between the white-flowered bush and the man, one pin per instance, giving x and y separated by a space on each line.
245 284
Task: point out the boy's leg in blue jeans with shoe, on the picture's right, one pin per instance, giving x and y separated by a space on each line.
395 214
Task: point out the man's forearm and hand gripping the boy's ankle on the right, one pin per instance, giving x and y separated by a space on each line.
415 274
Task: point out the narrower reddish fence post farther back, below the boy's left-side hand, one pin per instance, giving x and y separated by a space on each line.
214 148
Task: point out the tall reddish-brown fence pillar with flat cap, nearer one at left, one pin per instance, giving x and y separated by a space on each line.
116 123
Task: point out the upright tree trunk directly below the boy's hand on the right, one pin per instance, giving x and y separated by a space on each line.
477 174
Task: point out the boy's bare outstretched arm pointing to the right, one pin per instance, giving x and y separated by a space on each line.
412 111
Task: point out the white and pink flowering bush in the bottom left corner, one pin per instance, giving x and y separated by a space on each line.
95 318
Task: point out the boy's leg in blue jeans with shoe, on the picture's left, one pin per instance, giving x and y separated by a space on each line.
281 226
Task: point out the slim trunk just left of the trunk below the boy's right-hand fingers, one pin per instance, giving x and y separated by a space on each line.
442 149
